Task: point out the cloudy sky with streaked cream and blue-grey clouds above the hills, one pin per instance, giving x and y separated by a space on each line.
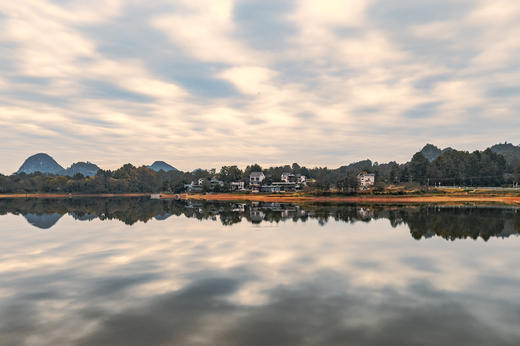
206 83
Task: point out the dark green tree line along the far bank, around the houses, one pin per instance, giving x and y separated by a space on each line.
452 167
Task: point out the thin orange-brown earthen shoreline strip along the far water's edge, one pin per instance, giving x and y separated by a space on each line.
450 198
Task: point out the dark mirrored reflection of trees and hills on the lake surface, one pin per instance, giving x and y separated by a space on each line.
424 221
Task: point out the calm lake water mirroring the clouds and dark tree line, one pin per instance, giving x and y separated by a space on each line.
141 272
